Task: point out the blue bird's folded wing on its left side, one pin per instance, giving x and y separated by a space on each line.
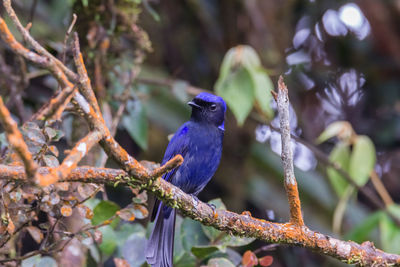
178 145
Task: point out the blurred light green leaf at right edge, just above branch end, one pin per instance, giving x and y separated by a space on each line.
390 235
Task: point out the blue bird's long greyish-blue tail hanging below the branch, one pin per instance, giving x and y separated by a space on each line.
160 246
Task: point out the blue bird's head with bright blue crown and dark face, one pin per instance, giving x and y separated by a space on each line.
209 108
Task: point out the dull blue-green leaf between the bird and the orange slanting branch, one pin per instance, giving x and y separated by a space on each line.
136 123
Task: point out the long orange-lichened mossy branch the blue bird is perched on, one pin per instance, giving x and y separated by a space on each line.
364 254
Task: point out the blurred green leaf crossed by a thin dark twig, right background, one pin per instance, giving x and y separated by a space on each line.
340 155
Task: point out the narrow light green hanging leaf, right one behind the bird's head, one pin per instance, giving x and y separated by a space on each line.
263 87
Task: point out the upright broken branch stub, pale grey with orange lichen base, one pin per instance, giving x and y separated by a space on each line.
287 155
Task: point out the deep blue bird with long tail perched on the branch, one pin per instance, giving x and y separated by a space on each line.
199 141
